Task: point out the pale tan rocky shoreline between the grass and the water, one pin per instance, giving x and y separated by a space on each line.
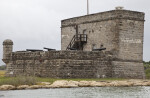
77 84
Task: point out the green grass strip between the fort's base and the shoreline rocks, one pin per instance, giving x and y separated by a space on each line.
22 80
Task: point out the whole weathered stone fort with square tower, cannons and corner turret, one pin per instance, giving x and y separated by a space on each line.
102 45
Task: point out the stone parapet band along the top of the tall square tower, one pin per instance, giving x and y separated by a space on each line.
118 13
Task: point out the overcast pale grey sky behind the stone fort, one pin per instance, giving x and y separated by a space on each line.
34 24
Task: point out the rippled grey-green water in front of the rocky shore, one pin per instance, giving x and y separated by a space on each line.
88 92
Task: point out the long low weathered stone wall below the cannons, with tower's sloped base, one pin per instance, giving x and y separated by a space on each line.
71 64
